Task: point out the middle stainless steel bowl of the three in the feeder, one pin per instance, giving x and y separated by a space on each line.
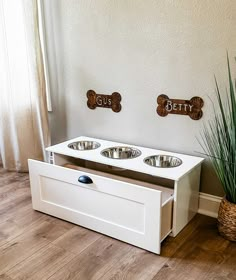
121 152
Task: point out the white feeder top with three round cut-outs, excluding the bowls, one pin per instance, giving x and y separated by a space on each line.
135 164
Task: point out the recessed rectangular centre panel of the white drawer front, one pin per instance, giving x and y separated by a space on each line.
91 202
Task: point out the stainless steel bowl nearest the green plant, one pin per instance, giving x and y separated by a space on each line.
163 161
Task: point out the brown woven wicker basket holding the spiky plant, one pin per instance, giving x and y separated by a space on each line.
227 220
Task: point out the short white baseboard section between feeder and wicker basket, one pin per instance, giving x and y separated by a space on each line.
209 204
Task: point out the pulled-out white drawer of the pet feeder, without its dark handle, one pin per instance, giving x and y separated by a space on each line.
129 210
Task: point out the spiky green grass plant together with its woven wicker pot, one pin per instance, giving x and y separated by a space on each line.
218 140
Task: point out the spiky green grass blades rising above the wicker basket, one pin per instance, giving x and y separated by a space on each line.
219 138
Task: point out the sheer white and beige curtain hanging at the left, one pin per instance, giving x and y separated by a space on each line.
24 130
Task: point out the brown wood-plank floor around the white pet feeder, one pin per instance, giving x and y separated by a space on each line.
37 246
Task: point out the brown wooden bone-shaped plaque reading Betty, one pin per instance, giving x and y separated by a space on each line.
192 107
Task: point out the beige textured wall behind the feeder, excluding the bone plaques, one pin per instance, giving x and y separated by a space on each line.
140 49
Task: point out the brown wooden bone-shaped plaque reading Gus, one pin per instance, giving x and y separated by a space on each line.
102 100
